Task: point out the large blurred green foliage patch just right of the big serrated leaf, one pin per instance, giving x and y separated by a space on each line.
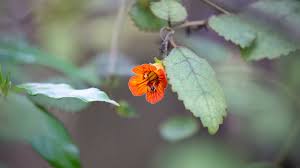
248 95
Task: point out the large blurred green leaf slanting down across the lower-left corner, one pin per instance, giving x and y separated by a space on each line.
22 121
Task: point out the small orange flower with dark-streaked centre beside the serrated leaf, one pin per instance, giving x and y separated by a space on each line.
149 79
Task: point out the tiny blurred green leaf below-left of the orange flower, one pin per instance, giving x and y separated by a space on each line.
126 110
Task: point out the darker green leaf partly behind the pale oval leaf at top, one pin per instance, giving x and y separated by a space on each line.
144 19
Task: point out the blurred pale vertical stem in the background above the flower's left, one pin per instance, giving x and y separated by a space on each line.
115 37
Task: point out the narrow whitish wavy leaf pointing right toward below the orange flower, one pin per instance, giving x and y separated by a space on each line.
62 91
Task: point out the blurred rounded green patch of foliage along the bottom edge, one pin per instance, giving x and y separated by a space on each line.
200 153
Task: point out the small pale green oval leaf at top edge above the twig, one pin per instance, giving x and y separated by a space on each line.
169 10
